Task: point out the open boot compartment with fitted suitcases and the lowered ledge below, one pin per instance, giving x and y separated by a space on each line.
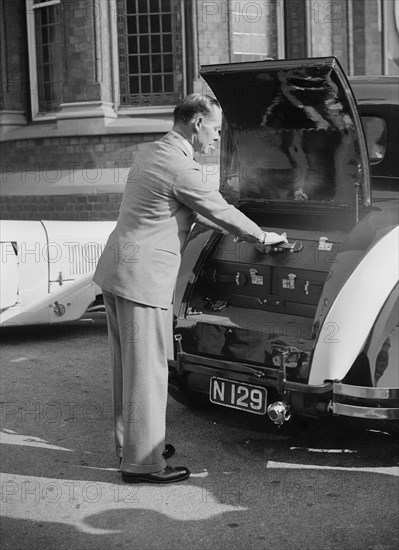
256 307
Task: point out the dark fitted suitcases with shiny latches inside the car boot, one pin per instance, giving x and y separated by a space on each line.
282 281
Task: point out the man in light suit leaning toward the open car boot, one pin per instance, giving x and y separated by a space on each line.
165 194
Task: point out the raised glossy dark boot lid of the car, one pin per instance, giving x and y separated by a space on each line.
292 133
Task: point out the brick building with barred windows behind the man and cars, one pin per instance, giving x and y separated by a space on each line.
86 83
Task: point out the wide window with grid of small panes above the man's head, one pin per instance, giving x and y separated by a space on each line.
151 52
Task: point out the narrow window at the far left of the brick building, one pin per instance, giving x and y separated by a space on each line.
46 59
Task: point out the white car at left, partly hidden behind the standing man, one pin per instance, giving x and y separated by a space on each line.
47 269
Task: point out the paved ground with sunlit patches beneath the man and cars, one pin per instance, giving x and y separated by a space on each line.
322 486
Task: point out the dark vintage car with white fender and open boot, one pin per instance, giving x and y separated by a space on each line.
309 327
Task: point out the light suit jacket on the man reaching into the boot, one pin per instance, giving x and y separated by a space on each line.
164 191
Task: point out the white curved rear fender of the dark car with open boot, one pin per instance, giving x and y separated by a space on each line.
354 311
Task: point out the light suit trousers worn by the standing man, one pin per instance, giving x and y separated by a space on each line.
137 342
